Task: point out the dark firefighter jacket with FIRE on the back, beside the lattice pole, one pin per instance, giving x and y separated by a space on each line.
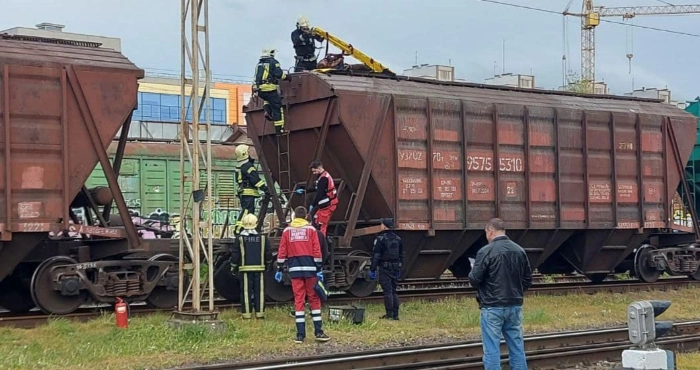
251 252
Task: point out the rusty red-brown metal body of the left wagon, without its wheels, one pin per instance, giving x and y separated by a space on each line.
53 99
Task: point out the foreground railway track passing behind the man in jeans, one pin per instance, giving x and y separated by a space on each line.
543 351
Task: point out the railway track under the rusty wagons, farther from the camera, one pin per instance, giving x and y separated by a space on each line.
426 292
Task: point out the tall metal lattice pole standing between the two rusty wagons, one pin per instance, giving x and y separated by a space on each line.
194 20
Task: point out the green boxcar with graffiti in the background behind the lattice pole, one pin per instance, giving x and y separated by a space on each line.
150 181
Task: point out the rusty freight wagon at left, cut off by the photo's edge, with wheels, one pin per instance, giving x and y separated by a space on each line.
61 104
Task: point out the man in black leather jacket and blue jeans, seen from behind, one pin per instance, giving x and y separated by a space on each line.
501 272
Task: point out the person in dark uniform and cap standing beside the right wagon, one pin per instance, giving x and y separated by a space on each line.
388 256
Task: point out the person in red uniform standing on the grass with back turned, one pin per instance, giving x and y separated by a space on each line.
301 251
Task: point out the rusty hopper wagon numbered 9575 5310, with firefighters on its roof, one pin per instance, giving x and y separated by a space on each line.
581 181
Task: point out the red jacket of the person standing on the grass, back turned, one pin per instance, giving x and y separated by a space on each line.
300 249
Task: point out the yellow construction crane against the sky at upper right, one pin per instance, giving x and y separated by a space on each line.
590 19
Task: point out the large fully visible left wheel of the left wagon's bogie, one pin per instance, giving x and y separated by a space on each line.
46 298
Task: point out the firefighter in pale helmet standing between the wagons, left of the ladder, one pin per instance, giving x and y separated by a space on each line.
249 184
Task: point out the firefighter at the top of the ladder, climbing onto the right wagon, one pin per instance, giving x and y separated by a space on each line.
268 73
